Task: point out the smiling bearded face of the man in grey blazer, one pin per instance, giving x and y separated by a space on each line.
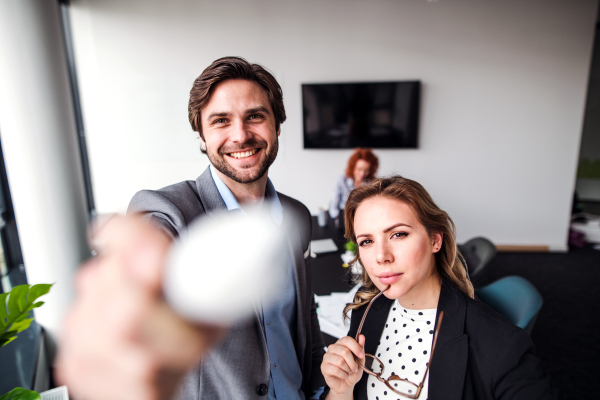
239 130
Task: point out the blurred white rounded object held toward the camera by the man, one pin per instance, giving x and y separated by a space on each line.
224 267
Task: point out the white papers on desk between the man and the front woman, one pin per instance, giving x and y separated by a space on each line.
330 312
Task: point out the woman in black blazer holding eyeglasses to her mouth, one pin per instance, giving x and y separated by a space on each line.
412 275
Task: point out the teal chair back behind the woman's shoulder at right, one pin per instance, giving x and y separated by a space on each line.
515 298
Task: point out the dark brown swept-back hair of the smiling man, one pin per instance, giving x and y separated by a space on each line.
227 68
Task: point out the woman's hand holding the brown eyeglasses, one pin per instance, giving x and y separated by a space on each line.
339 368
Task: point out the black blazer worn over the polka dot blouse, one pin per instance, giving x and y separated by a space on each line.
479 354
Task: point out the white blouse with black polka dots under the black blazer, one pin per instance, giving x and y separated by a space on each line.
404 350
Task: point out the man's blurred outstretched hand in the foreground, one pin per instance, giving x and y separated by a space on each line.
120 339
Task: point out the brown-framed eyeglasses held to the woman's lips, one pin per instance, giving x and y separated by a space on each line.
370 359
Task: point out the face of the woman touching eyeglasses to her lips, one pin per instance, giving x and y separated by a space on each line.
395 249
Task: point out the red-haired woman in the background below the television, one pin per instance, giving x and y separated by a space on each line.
362 168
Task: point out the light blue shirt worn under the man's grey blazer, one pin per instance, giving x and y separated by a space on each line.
278 320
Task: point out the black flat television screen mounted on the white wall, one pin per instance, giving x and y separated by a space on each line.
348 115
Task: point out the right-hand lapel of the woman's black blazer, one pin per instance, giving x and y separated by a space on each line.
449 363
